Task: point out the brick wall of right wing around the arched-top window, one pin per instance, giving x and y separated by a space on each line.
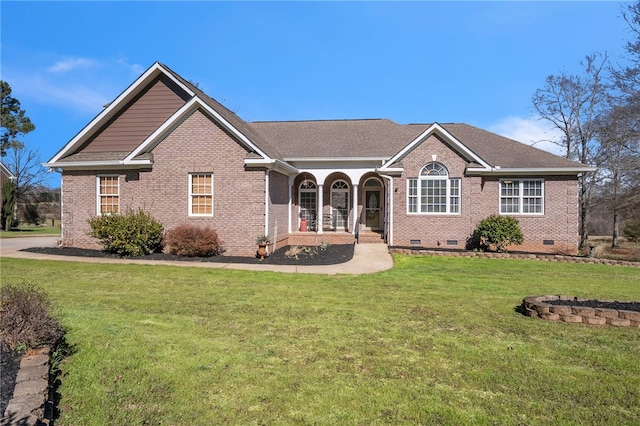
479 198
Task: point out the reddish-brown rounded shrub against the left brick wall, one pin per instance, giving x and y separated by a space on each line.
191 241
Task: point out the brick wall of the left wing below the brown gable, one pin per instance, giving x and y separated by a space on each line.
196 145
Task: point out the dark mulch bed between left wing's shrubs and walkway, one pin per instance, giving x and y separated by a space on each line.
331 255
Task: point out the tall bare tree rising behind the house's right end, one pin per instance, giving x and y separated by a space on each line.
574 104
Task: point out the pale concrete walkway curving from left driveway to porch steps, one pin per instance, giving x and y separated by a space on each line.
367 259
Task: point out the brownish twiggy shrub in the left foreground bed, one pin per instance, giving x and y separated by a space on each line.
25 318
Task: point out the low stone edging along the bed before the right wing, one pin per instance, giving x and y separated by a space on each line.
531 256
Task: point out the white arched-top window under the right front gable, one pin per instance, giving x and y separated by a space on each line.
434 191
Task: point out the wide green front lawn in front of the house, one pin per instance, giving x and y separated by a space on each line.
436 340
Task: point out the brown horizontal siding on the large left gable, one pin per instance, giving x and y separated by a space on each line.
139 118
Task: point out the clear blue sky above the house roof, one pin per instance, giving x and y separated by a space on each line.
412 62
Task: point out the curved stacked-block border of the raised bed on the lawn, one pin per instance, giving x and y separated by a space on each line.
535 306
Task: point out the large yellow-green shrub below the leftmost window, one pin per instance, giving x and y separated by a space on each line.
132 234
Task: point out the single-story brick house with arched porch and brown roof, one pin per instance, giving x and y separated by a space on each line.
166 147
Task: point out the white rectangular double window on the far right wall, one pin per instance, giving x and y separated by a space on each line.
525 196
